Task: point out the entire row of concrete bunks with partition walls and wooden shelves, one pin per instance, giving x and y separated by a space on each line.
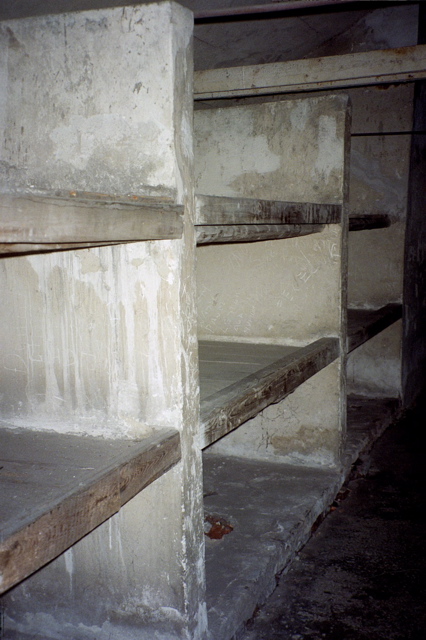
109 411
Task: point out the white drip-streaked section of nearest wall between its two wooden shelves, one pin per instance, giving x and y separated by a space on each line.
78 339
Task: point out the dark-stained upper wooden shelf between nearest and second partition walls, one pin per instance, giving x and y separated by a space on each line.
225 219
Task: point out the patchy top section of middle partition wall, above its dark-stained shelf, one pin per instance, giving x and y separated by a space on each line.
256 151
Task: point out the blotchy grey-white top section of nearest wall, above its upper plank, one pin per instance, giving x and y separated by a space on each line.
105 128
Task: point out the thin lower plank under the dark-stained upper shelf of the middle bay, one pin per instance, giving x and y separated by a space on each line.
220 234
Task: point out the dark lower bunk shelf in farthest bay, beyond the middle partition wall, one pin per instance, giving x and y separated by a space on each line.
363 324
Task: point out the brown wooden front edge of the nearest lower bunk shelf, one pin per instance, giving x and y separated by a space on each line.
39 542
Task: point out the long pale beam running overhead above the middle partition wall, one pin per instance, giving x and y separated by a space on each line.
404 64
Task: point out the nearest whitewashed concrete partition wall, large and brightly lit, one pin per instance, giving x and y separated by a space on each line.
102 341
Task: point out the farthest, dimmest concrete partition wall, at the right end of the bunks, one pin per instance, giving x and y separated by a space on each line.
379 184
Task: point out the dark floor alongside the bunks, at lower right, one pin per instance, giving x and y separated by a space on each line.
362 575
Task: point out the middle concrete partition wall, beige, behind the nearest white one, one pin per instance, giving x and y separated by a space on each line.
289 291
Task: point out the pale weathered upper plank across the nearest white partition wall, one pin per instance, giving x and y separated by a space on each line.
76 220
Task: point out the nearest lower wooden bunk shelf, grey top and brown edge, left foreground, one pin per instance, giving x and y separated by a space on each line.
56 488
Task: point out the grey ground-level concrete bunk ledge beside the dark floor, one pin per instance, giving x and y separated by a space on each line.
267 511
